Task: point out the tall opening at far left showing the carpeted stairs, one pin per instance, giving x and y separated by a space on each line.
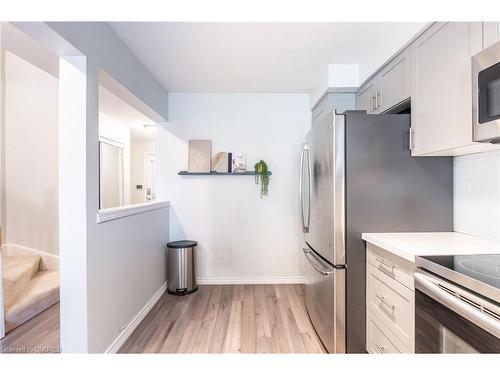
29 219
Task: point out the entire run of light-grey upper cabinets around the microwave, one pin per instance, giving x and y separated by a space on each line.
435 72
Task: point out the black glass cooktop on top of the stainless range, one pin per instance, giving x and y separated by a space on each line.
484 268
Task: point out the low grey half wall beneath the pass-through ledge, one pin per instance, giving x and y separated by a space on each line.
127 266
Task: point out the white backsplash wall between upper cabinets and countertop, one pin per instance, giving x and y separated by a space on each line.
476 190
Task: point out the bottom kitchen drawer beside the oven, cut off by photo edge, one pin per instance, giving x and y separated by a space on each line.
380 339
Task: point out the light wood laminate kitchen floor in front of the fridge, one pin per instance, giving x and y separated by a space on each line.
228 319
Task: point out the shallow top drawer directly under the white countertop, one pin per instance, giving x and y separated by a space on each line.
395 267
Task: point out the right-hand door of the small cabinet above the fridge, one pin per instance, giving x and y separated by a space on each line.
394 82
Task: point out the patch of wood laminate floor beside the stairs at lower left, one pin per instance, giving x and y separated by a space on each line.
38 335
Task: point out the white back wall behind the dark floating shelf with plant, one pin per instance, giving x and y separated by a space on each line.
239 234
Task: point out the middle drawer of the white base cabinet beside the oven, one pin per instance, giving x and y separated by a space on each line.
393 303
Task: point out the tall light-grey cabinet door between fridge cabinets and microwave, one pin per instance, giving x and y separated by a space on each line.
441 88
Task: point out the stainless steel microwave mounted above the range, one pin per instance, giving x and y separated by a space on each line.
486 94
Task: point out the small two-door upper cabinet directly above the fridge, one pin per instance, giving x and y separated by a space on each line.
388 88
